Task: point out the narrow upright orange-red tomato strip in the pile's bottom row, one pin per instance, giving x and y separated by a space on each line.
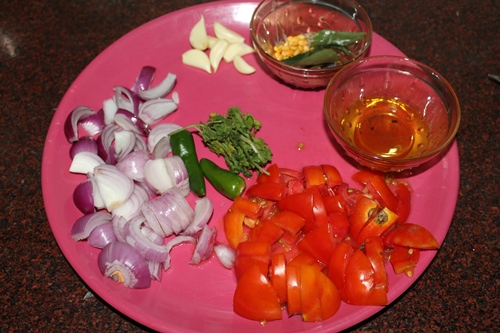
310 294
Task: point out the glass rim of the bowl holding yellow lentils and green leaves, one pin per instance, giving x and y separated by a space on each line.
312 71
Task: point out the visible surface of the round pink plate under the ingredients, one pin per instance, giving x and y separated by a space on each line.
199 298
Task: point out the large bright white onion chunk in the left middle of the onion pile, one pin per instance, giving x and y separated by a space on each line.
115 187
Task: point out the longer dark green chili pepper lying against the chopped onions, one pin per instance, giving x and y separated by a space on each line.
182 144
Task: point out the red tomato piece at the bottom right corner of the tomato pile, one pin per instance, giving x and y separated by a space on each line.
360 287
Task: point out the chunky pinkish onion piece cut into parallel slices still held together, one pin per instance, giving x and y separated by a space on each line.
172 212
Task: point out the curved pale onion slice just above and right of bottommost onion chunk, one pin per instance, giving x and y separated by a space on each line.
147 247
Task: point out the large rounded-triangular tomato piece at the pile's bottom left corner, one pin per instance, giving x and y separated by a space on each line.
255 298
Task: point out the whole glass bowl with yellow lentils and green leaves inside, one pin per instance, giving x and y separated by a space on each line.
305 42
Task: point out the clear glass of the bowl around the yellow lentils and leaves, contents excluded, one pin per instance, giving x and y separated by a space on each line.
274 20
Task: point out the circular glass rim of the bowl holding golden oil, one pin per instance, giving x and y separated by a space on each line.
395 161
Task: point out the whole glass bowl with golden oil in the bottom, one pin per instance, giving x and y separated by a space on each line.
391 113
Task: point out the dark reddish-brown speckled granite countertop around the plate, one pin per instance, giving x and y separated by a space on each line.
44 45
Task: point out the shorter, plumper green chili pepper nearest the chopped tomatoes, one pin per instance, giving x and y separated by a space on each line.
224 181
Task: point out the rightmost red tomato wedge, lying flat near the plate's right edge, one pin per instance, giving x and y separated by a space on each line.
411 235
